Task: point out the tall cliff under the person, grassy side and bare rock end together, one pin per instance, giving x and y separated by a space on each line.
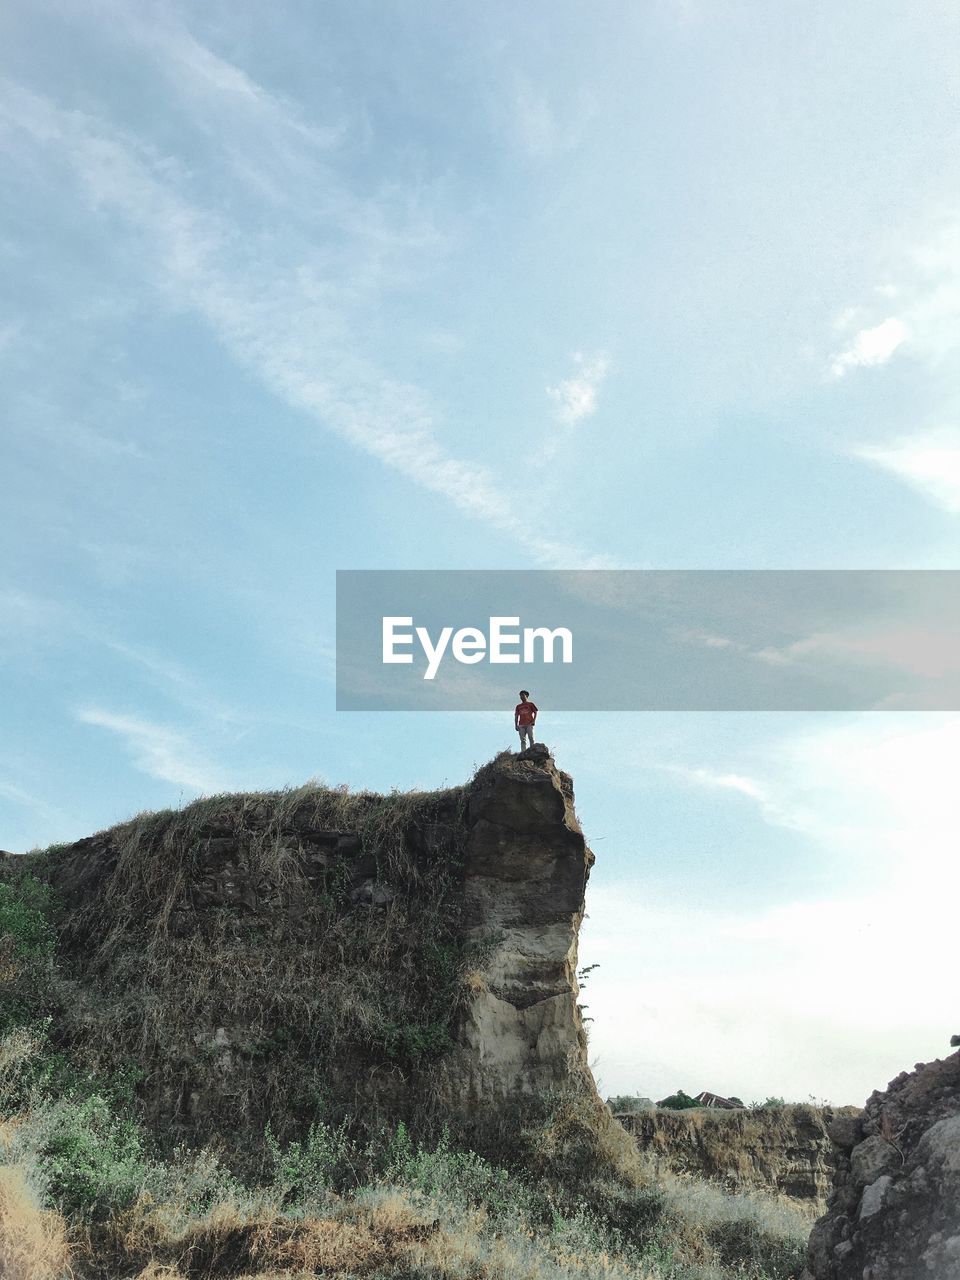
273 957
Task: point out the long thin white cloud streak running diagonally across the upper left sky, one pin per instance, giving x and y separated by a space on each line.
282 322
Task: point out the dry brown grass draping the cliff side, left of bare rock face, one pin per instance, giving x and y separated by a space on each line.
291 994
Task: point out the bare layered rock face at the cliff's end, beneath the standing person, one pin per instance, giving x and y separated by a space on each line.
525 875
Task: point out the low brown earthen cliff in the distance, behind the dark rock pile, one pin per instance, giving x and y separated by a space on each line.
787 1150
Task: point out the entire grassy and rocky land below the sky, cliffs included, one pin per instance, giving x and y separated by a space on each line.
319 1034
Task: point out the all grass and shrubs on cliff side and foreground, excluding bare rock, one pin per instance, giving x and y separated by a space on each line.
116 950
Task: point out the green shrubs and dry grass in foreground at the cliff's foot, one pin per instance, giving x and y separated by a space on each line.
83 1186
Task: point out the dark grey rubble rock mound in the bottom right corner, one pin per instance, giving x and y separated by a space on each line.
895 1210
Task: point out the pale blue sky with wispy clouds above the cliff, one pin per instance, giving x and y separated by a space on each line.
292 289
